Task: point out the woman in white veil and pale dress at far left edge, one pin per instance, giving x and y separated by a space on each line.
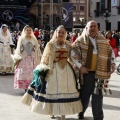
6 61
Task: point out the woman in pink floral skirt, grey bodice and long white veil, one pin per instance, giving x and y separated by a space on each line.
26 58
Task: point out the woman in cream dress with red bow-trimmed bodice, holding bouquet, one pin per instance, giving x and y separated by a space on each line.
59 96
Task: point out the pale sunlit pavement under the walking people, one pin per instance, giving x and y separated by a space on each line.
12 109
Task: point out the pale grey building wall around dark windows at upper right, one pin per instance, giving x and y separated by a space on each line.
113 19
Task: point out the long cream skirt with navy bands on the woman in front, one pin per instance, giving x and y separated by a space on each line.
57 95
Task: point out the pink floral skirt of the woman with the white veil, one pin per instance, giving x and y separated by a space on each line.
24 71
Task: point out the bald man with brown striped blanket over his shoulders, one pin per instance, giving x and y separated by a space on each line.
96 64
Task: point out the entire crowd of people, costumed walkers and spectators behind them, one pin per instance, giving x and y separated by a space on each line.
60 70
